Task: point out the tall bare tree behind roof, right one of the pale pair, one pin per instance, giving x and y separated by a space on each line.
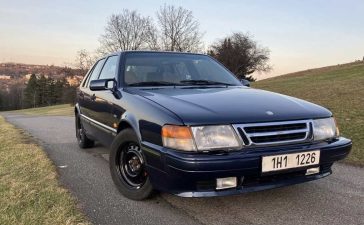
179 31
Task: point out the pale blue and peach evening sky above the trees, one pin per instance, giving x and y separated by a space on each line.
301 34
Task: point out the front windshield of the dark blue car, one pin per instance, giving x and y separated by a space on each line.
157 69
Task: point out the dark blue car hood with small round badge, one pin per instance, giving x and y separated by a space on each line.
227 105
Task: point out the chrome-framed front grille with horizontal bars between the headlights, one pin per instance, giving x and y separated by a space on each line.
274 133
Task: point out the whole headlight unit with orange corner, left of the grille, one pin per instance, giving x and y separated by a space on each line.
200 138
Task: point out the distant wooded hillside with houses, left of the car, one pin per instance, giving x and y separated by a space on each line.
50 85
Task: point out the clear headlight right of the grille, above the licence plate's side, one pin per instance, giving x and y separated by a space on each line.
324 129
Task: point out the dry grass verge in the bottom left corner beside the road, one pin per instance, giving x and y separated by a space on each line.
29 190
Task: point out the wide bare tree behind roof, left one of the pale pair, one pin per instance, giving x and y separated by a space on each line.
128 31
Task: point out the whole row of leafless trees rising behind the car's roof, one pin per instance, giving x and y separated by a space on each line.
176 29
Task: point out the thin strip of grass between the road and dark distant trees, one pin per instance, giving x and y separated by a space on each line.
56 110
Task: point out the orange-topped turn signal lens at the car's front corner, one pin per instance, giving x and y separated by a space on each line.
178 137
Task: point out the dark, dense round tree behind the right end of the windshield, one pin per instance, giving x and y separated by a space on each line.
241 55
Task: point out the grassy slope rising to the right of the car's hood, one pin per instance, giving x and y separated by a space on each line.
338 88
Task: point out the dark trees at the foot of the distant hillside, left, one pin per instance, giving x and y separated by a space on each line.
39 91
